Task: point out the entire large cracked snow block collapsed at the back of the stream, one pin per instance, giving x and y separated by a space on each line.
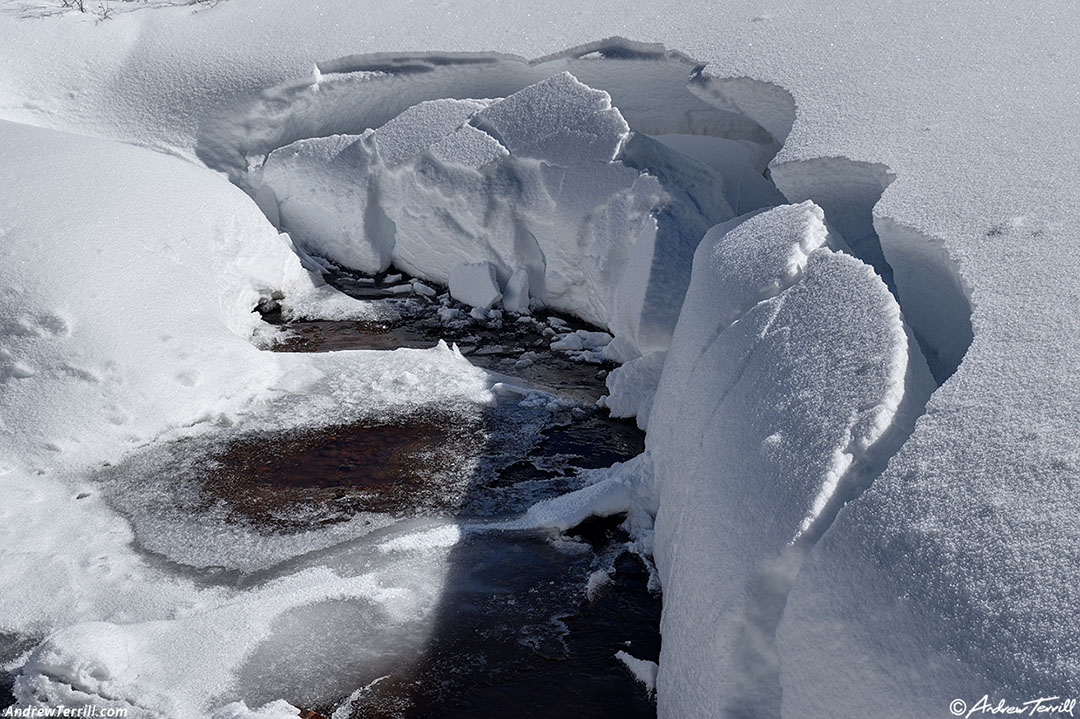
549 183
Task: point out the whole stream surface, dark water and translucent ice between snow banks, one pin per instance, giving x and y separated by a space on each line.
515 621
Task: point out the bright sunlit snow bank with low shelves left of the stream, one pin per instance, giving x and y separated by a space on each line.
134 317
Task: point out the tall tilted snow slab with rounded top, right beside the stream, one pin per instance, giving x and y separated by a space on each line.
790 363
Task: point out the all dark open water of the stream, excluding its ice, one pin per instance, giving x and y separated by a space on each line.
516 634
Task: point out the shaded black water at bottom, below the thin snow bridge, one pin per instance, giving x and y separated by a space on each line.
518 639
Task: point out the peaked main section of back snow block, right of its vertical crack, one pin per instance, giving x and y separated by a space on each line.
570 221
